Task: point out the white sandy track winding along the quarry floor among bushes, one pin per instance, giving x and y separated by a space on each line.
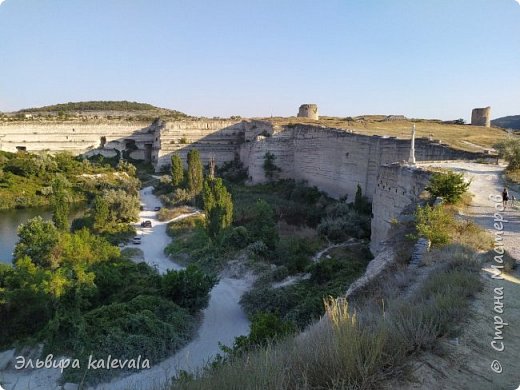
222 321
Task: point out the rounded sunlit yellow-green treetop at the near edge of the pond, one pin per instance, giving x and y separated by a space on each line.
37 239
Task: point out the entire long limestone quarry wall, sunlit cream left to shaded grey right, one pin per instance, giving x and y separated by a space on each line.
334 160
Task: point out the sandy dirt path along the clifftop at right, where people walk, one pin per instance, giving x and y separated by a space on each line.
466 362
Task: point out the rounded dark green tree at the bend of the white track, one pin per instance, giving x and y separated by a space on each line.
189 288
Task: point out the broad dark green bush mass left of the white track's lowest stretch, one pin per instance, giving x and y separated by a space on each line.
149 326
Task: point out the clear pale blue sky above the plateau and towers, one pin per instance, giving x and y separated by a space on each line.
420 58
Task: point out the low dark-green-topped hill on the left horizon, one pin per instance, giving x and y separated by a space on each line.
102 106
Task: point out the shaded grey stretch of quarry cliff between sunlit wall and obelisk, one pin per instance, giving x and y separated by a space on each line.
336 161
